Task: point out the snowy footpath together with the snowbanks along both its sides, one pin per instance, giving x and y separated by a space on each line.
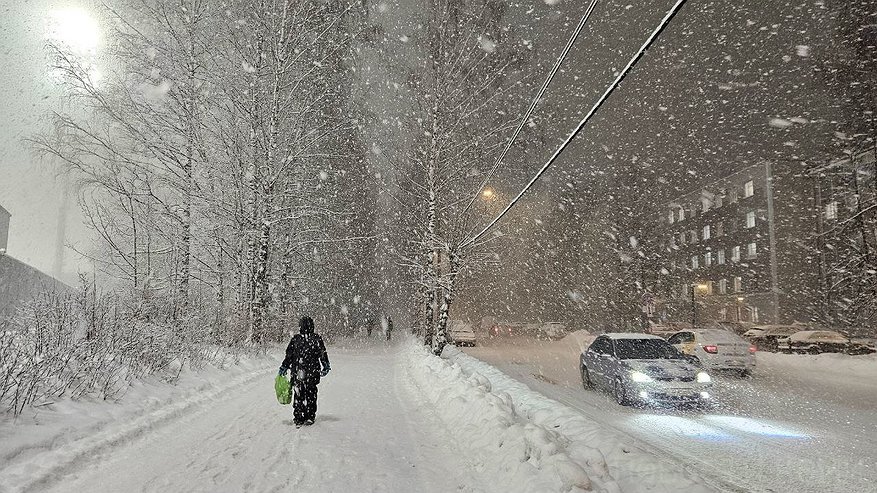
392 418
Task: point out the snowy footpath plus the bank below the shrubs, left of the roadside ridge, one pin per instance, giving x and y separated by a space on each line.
227 433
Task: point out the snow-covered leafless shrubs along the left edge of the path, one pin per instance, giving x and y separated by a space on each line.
87 344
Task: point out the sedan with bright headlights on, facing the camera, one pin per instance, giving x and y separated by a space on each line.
644 369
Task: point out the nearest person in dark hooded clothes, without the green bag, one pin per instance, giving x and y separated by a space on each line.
307 360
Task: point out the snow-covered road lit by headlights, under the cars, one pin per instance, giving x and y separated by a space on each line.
801 423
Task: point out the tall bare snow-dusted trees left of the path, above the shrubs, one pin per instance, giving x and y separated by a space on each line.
220 158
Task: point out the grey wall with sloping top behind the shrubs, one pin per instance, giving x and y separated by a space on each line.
20 282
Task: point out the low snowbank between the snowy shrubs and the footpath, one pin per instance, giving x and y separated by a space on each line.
54 438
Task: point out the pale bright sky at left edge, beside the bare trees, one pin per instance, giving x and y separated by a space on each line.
31 190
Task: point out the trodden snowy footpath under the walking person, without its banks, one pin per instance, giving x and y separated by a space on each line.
369 436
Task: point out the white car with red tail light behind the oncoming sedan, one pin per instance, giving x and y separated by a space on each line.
716 349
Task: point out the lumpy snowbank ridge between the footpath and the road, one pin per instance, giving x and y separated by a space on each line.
549 446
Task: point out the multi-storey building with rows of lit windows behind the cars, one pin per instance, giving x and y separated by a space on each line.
739 249
